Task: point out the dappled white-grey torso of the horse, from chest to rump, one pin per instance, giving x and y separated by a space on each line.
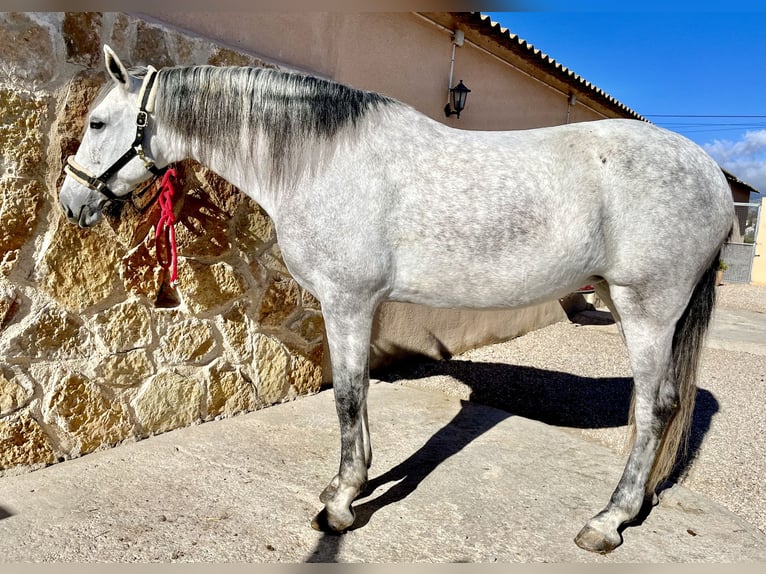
416 211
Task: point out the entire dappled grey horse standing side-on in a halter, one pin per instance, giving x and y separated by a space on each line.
369 206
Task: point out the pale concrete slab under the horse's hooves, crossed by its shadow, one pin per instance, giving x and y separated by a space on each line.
451 481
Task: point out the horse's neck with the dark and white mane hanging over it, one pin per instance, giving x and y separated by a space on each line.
259 151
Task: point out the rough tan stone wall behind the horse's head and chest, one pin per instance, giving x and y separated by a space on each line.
96 347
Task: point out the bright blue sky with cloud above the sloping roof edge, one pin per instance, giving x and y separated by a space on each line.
670 63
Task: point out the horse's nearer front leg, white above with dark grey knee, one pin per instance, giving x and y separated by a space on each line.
348 336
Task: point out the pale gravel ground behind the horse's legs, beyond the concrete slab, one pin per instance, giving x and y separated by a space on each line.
577 377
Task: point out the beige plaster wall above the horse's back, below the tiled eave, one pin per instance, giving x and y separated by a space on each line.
401 54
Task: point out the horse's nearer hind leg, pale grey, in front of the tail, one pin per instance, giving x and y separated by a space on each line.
649 341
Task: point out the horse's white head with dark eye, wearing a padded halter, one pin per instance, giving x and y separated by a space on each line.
112 159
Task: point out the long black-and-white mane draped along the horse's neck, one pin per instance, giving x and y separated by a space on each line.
231 105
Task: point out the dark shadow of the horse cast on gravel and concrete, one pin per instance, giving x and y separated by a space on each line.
551 397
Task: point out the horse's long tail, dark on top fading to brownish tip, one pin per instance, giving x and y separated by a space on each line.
687 345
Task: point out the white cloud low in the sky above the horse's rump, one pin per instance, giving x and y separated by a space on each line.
745 158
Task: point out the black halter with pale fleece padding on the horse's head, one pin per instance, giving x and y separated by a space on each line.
99 183
